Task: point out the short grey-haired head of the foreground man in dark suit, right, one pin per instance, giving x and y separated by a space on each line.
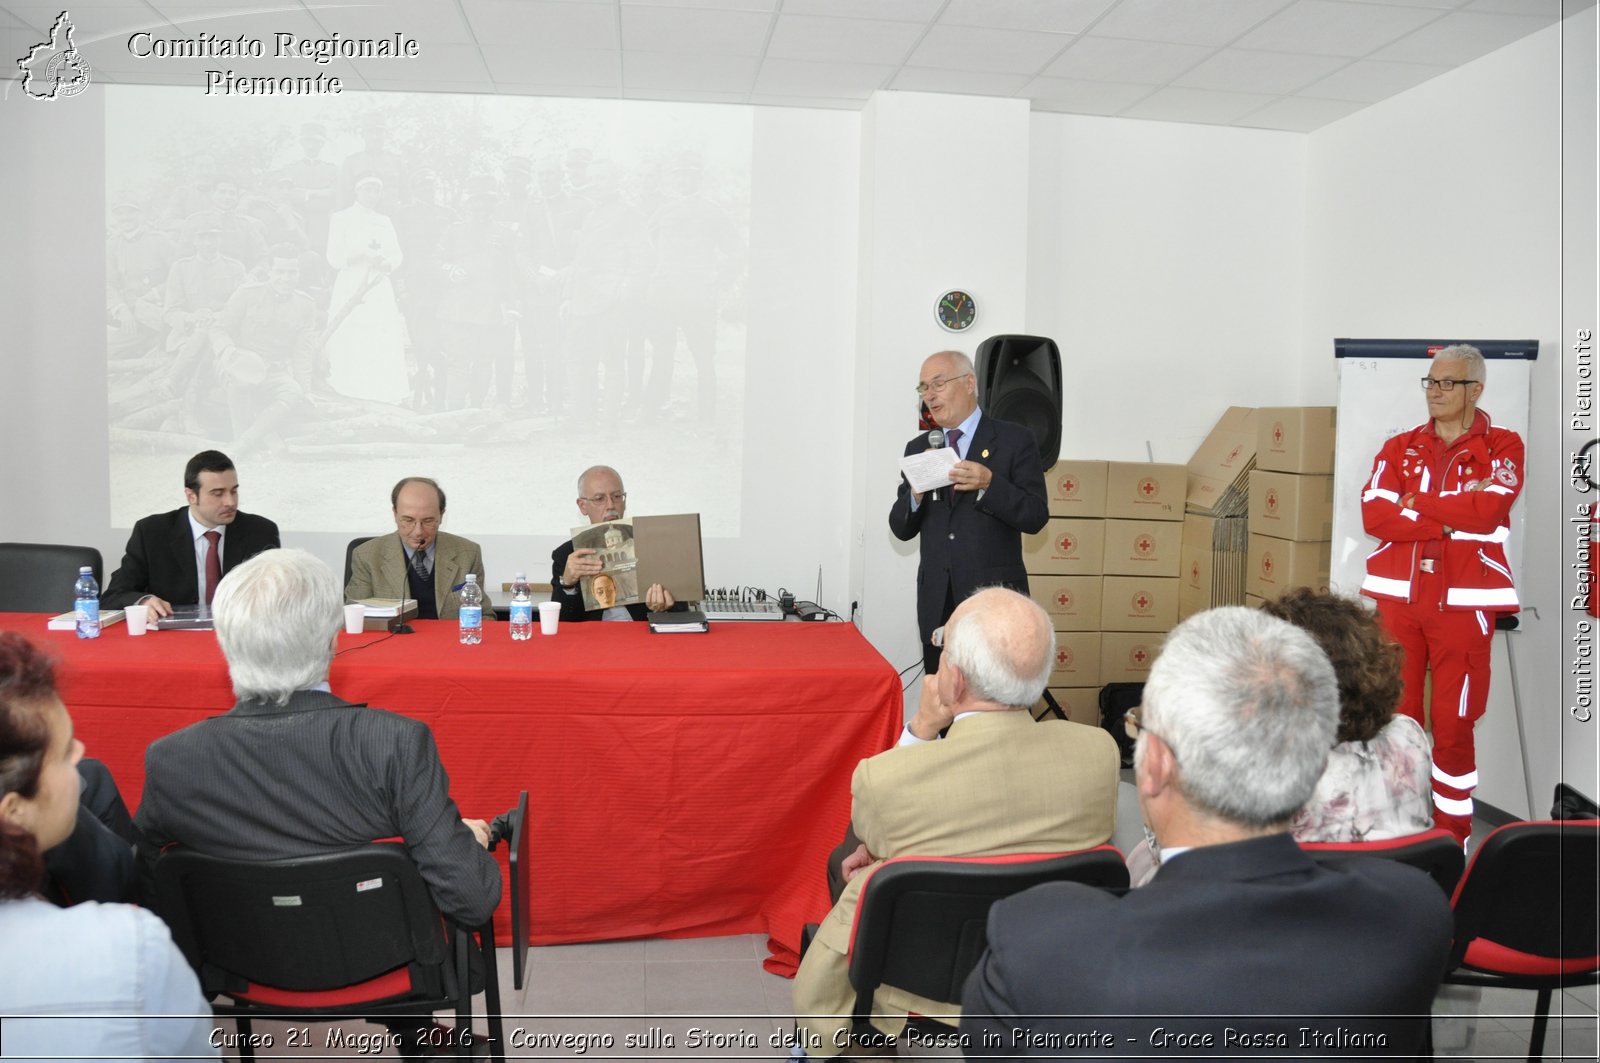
1249 705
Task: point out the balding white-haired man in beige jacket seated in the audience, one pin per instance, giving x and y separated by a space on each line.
996 784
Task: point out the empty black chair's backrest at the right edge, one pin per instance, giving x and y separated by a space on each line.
1530 888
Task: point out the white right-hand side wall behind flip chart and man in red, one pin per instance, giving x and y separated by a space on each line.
1438 214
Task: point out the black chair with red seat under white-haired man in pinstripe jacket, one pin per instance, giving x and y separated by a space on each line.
338 936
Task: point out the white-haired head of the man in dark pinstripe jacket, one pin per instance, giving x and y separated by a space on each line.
276 617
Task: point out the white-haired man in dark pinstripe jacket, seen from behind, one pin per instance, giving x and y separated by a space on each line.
295 771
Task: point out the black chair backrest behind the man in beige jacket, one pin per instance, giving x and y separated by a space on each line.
922 921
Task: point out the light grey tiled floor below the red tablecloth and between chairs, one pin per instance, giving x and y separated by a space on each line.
647 1000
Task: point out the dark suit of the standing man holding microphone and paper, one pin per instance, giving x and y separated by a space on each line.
970 544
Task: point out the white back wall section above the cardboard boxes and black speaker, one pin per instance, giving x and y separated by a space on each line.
1166 262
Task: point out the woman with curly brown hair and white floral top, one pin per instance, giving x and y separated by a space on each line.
1377 784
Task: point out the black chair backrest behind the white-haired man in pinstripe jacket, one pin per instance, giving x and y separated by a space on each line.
306 926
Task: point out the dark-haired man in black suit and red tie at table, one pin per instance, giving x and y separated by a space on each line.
180 558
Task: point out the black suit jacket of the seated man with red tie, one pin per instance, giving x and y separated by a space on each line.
161 558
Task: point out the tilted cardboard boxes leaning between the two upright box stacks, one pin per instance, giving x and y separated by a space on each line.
1212 566
